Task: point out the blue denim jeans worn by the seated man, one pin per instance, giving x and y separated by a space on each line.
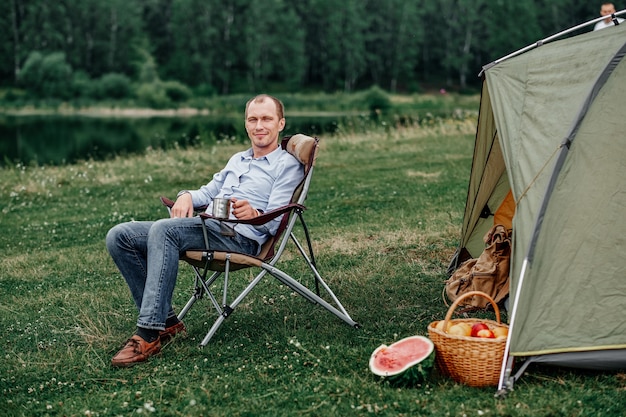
147 253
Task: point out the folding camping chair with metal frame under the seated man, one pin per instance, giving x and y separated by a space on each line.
221 264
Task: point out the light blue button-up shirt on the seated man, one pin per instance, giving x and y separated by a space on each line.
267 183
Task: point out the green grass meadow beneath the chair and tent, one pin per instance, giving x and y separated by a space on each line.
385 211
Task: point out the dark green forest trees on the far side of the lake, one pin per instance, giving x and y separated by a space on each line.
181 48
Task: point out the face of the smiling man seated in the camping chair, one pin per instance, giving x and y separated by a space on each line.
263 126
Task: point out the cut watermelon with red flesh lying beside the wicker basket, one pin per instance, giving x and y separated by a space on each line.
408 361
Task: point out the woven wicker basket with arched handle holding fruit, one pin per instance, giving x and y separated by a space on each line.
469 360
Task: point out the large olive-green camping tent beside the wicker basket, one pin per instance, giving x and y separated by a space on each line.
552 130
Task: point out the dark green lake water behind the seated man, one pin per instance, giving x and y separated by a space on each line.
55 140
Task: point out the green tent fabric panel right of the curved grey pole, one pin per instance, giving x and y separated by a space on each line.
583 225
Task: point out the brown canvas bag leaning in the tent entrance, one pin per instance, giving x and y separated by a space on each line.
488 273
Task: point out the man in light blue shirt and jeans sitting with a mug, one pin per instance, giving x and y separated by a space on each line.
259 179
